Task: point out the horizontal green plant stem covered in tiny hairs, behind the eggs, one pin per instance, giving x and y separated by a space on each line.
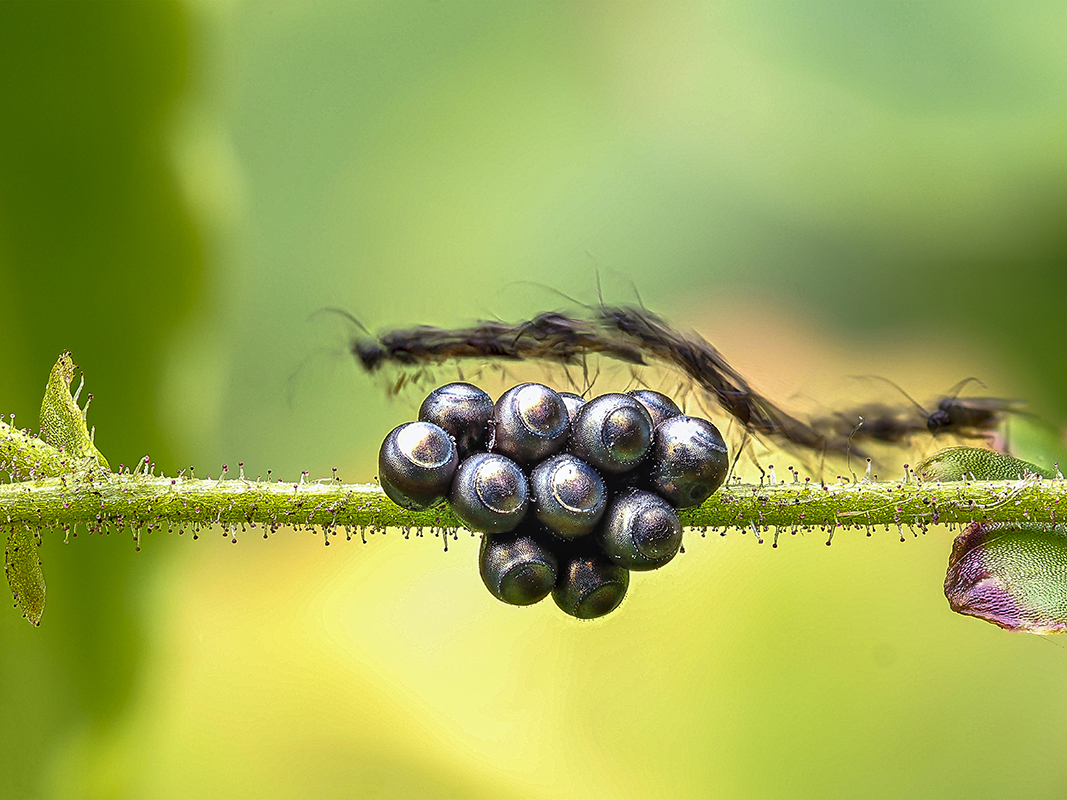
95 500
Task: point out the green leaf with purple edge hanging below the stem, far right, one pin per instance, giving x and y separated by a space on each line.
1013 575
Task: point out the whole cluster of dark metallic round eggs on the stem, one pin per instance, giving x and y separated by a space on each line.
570 495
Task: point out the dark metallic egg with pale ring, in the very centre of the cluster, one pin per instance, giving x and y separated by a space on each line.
569 497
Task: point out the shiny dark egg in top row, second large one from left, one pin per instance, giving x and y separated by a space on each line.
531 423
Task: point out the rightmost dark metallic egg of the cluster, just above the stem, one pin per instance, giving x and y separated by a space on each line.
690 461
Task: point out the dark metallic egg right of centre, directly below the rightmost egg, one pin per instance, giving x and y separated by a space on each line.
641 531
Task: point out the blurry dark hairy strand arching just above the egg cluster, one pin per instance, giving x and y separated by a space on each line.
638 337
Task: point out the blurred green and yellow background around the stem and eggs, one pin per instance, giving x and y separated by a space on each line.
821 189
